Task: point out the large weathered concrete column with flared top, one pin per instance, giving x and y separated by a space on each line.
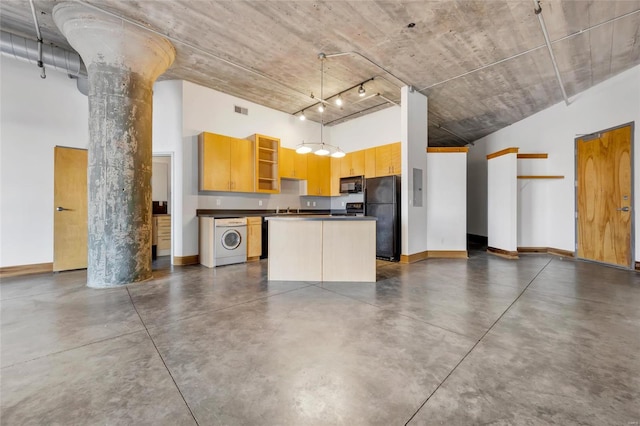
123 61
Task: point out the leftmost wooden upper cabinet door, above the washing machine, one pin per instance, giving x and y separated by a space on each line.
215 162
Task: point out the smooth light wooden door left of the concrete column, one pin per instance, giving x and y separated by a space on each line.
70 209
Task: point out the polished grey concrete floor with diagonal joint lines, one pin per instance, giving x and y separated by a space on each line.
540 340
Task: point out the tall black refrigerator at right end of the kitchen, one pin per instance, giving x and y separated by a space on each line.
382 200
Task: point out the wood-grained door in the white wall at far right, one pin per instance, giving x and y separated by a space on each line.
604 198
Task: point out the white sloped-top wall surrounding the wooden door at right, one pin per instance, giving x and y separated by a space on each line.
609 104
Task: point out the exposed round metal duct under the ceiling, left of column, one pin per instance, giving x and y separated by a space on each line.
53 57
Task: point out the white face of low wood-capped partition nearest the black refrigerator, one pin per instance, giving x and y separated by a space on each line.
446 194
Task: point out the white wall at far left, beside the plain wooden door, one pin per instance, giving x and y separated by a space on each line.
35 115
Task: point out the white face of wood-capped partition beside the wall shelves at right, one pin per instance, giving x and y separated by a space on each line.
502 199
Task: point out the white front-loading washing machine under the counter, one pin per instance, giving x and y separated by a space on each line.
230 241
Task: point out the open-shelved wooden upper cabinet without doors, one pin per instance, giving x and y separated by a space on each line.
267 154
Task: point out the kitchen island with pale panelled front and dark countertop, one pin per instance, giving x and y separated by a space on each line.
322 248
